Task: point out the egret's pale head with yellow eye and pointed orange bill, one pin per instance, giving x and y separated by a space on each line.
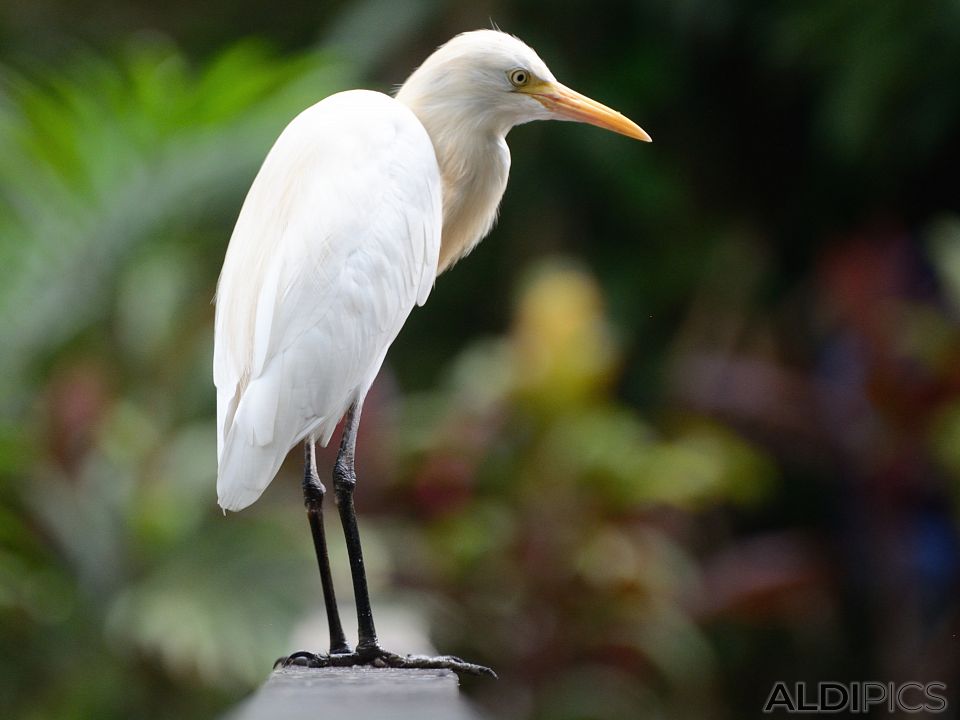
491 80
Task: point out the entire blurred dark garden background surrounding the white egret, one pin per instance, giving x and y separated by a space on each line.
685 424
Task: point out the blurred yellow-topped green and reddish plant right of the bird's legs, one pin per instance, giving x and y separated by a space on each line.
540 492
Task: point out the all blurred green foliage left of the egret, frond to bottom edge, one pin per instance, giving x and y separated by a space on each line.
119 580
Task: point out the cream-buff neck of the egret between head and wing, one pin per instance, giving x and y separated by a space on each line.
474 163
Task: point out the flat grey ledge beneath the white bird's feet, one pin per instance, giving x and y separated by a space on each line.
358 693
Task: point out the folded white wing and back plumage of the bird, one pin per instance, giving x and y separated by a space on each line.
338 238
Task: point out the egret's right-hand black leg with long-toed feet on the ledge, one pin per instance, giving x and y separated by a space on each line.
368 650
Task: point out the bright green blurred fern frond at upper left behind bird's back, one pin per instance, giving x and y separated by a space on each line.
114 156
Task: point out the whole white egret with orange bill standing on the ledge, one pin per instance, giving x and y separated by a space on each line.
362 201
